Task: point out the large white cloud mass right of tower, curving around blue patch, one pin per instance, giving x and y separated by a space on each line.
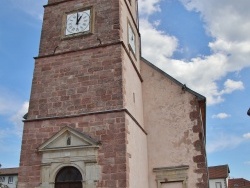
227 23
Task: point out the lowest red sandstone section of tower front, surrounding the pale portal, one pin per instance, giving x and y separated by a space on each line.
109 128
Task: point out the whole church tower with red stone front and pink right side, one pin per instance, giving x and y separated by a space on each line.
84 127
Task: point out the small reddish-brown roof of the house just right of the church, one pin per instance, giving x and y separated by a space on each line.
218 172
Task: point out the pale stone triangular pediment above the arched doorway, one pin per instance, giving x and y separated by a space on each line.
68 138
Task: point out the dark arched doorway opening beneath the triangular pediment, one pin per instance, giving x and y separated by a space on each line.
68 177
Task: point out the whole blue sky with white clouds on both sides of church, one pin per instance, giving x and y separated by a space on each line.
204 44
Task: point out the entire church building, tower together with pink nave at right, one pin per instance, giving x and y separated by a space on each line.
100 115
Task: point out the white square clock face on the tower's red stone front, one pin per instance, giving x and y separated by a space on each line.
78 22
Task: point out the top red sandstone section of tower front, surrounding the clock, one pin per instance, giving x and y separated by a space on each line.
105 26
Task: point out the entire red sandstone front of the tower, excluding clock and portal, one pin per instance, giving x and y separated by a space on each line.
78 82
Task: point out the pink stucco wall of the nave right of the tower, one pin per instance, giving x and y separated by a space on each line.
171 138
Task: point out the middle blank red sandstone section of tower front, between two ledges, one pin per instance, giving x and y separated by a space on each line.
76 83
